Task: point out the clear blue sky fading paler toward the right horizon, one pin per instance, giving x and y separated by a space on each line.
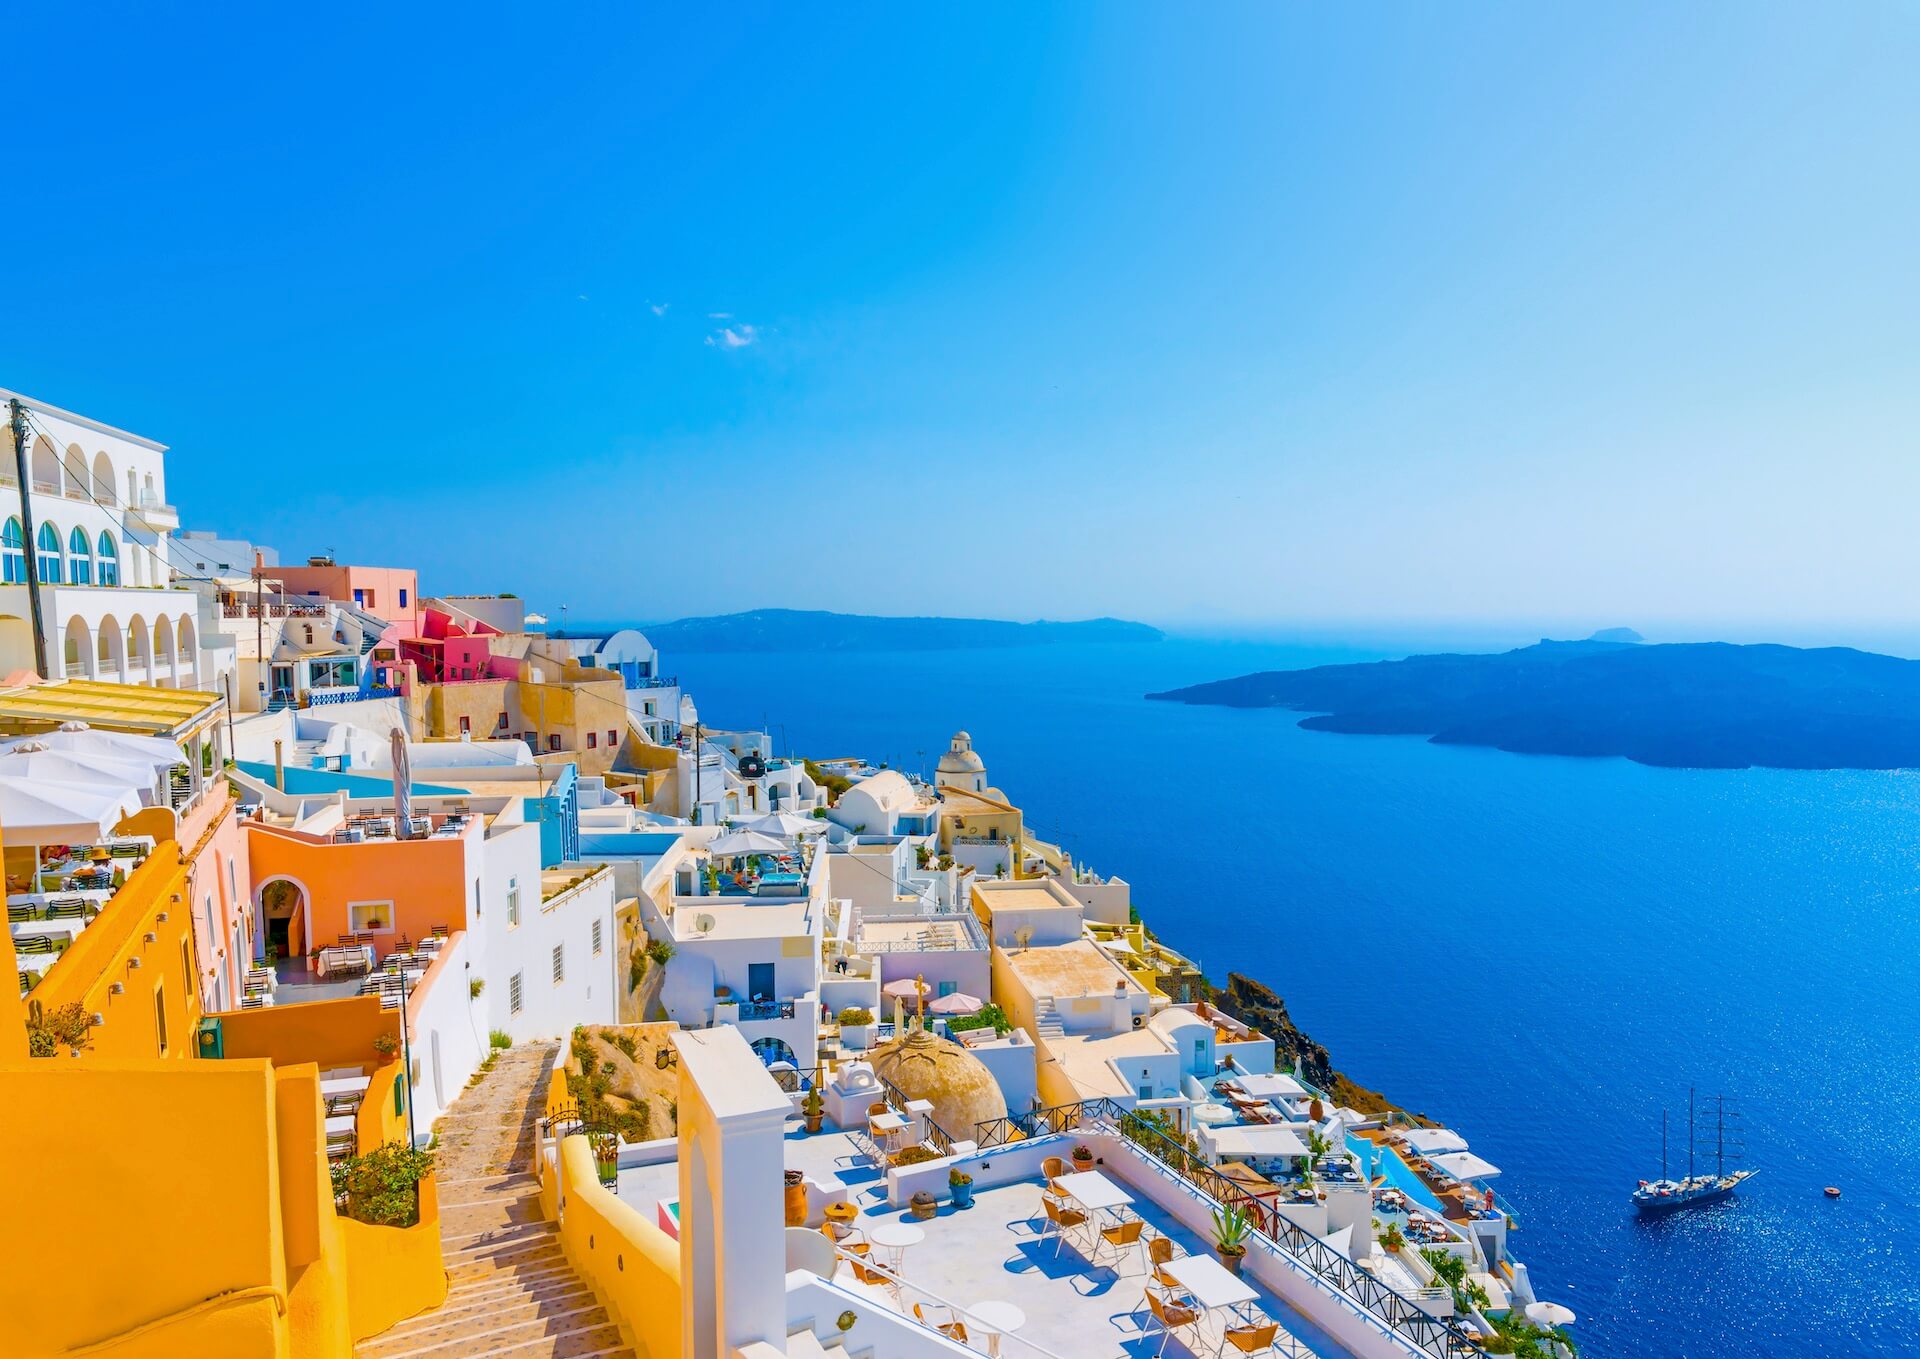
1189 314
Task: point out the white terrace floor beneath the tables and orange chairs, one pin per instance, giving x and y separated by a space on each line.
1001 1251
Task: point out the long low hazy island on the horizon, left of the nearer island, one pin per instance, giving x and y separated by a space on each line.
817 631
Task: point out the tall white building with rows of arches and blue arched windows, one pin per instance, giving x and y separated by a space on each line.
101 538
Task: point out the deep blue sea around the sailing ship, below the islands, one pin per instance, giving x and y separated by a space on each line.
1541 953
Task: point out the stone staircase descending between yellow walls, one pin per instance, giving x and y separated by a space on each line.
510 1287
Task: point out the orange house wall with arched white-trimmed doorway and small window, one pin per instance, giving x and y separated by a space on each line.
387 890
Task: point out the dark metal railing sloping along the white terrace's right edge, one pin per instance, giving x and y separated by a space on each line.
1403 1316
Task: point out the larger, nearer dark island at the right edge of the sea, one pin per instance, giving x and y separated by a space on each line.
1685 705
